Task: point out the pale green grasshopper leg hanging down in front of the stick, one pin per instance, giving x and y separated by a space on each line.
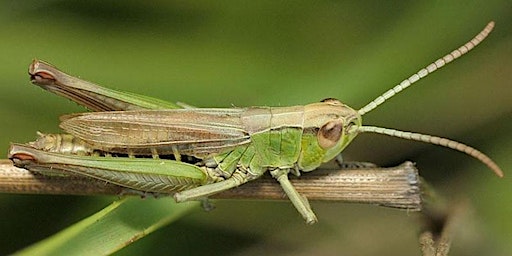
300 202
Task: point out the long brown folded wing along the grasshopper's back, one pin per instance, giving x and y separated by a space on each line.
190 131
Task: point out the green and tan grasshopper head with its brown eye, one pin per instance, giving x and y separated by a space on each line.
329 126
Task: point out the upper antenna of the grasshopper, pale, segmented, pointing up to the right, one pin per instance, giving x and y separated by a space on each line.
428 69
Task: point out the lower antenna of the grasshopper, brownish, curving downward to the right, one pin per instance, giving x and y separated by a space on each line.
437 141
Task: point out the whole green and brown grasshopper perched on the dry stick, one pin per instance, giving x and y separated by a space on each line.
230 146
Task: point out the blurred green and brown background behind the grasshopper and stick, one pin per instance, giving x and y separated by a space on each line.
278 53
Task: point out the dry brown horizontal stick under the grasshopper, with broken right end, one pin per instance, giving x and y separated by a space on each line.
396 187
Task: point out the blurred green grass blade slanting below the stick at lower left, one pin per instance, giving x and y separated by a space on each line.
111 229
